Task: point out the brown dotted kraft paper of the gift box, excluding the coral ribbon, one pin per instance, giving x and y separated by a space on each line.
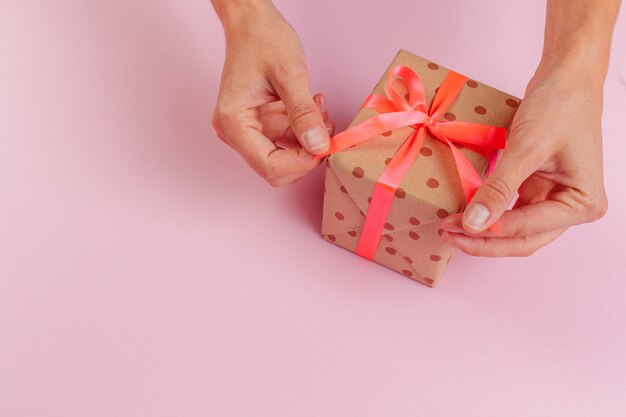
431 190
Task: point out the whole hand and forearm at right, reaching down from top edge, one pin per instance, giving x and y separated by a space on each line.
553 158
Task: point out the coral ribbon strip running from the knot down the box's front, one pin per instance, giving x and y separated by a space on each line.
384 192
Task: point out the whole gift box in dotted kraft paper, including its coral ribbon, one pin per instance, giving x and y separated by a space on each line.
404 230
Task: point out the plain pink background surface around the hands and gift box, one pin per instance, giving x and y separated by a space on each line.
146 271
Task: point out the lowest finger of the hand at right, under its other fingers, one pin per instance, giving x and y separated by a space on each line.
501 246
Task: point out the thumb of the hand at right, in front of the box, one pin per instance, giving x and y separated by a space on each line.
499 189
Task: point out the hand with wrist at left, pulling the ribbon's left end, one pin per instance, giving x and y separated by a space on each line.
265 110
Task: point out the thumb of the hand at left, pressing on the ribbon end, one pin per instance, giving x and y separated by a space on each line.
305 117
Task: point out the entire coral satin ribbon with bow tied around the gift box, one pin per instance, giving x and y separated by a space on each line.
397 111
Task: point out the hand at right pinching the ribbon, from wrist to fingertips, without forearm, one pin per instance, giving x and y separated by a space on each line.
553 159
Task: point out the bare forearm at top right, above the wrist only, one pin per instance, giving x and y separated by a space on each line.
578 36
